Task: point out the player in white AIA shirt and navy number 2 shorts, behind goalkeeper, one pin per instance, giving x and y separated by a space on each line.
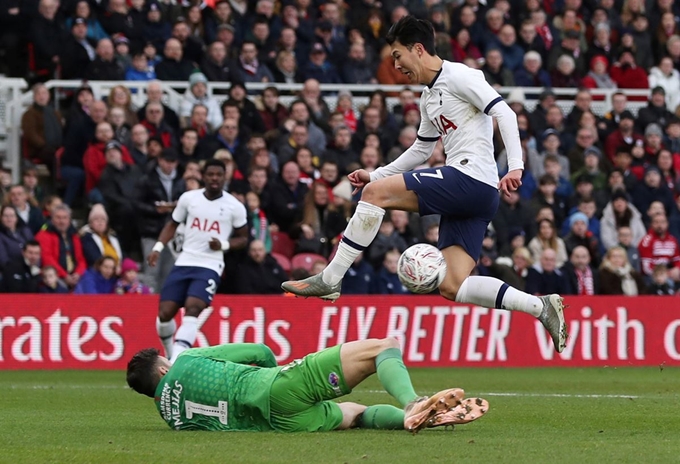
210 215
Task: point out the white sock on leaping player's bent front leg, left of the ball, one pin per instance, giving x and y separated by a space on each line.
360 232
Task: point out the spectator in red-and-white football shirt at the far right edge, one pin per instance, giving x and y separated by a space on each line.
659 247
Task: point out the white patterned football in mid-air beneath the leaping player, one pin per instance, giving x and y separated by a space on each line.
421 268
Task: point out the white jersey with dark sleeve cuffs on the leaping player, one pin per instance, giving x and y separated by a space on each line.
455 106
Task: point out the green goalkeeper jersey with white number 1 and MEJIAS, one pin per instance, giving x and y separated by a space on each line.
218 388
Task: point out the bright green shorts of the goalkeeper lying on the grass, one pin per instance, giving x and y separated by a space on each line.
300 396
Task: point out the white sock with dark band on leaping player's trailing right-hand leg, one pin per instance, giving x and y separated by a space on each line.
490 292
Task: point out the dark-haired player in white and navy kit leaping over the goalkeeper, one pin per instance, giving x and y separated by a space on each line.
456 105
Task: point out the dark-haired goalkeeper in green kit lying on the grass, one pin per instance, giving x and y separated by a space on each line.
240 387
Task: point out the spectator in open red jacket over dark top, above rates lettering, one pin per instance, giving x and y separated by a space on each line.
61 247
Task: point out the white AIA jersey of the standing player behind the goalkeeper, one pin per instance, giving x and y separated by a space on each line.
205 219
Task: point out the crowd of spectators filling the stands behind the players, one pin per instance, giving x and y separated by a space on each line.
598 211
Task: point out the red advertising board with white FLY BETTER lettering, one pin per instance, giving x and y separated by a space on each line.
103 332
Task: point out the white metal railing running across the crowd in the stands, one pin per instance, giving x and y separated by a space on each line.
15 97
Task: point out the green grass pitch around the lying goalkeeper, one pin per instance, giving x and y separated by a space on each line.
69 417
